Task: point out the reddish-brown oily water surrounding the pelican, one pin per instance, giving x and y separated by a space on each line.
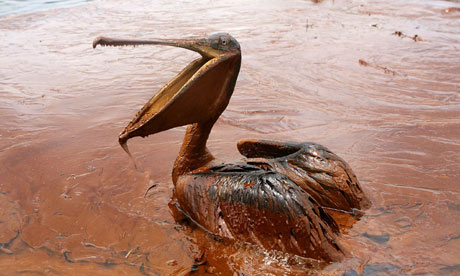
377 82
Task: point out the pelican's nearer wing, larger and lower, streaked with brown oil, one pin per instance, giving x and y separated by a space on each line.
260 207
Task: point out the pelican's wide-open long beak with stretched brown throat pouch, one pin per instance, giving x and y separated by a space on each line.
198 94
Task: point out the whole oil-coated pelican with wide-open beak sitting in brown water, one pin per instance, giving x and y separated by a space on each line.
278 196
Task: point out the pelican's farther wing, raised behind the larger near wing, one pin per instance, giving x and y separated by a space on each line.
320 172
